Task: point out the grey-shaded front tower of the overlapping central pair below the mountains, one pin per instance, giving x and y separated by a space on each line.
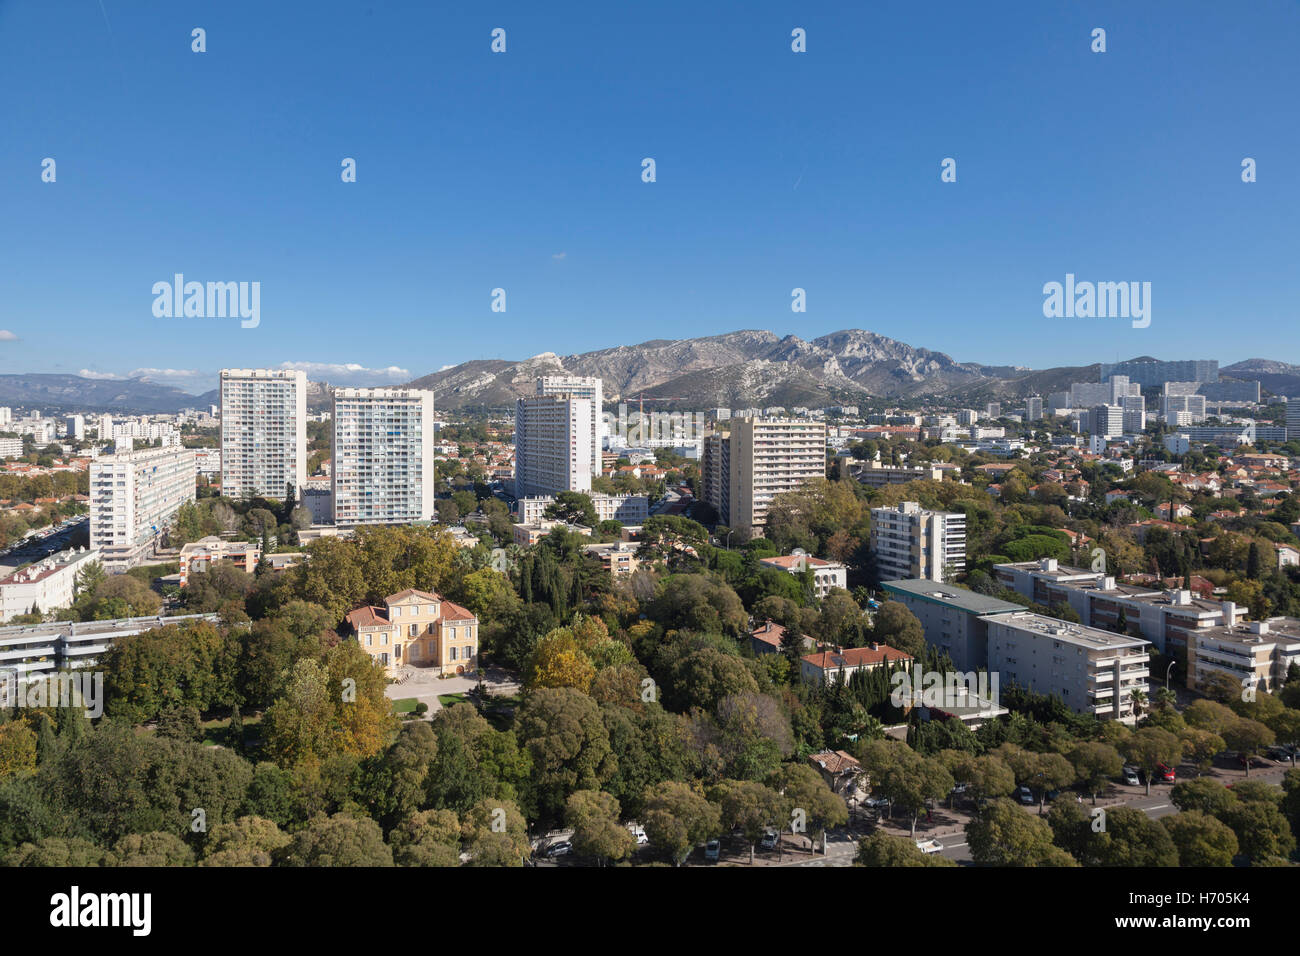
553 445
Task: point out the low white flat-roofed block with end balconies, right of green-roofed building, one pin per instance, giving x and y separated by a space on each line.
1091 671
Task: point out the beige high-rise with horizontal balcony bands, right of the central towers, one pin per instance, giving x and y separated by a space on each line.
770 457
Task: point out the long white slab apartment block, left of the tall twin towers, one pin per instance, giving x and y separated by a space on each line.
133 498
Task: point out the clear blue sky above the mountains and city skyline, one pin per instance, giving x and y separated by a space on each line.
522 171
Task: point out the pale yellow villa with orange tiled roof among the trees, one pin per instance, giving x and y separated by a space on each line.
421 629
